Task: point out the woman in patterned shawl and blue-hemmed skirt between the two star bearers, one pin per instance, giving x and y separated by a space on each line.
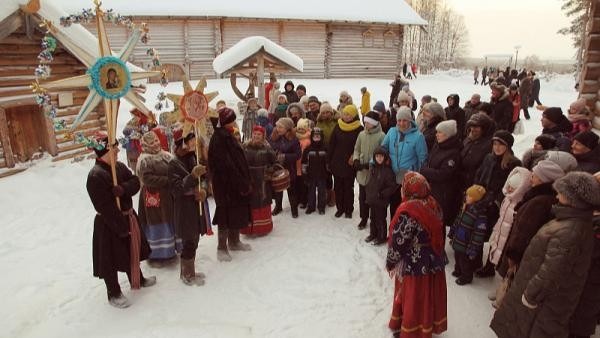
156 202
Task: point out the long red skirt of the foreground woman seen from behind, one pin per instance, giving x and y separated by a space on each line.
419 308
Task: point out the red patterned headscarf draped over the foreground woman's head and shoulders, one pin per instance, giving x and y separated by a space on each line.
420 205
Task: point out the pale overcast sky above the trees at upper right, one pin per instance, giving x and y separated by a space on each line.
497 26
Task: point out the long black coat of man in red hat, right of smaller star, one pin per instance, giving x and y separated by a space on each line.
231 180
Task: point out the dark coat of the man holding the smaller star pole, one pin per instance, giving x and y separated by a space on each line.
186 214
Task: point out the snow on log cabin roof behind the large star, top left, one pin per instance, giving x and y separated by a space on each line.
50 10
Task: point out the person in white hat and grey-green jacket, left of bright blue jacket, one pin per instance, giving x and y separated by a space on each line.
368 140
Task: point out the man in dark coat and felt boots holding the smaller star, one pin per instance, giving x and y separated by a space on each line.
184 180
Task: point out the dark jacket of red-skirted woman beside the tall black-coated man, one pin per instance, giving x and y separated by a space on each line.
259 157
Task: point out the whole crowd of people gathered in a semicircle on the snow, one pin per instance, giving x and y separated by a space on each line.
444 173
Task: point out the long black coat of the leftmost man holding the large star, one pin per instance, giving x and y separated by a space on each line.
110 243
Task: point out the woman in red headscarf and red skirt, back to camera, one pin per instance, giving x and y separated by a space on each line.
416 261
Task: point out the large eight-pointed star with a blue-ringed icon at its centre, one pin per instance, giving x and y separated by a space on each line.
107 77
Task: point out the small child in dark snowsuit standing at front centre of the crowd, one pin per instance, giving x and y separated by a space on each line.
314 168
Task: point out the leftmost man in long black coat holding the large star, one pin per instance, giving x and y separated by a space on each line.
114 227
